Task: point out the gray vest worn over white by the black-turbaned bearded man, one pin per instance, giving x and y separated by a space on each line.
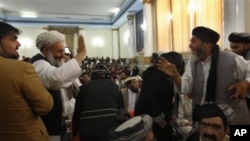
226 66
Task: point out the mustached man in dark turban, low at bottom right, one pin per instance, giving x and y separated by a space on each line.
213 120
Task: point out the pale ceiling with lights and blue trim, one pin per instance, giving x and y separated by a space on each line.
68 12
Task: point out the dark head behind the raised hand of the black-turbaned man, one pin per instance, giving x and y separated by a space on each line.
176 59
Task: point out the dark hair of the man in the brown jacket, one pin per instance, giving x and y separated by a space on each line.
6 29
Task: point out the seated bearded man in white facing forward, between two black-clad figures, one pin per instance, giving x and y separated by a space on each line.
130 94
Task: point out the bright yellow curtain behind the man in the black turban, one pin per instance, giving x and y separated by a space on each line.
176 19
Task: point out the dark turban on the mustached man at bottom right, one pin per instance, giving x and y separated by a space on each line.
213 110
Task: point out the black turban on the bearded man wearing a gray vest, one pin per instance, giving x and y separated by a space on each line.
206 34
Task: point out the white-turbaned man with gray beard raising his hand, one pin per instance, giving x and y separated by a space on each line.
57 77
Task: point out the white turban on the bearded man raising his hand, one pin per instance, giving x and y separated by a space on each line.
49 38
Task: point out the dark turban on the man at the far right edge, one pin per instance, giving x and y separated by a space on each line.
239 37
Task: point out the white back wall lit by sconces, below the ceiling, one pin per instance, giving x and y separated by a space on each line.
28 36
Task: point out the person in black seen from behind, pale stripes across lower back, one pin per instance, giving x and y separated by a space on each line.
97 106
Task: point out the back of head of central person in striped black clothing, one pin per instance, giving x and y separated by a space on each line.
101 71
